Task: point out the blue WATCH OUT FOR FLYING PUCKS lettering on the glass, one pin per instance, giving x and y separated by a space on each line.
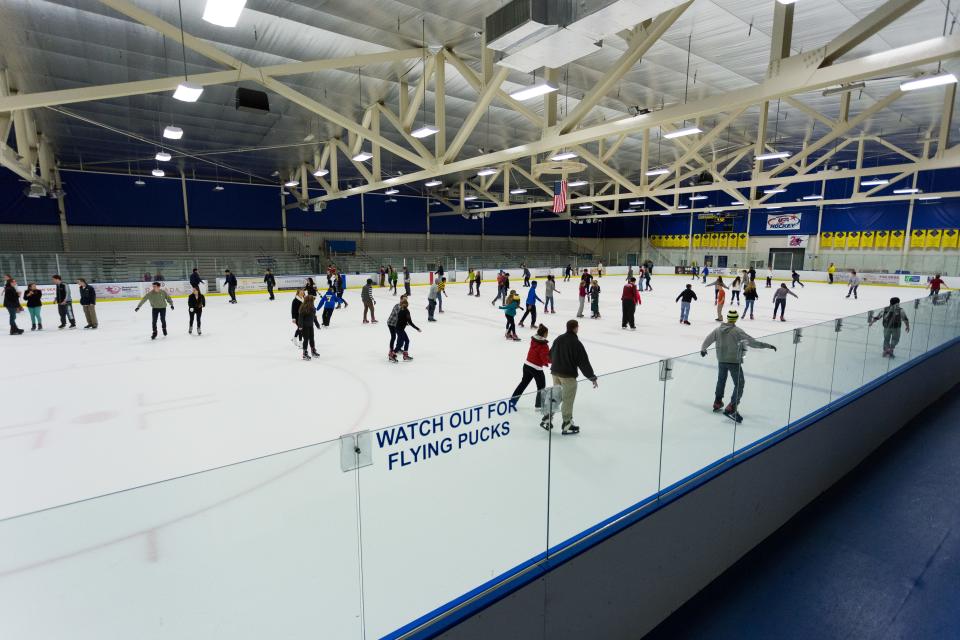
453 433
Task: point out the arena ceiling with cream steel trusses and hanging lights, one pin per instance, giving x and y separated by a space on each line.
717 64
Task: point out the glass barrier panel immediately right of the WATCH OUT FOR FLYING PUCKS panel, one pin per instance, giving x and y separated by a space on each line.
613 463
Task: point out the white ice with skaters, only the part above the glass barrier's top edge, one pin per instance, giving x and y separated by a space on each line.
99 411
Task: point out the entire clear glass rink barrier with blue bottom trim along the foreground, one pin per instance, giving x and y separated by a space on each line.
380 532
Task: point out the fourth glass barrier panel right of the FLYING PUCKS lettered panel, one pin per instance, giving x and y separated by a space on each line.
816 351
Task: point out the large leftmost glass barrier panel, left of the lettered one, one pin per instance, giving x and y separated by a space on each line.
262 549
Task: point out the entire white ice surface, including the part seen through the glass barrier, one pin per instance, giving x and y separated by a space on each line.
269 548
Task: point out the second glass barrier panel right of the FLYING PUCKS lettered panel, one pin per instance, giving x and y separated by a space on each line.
694 435
